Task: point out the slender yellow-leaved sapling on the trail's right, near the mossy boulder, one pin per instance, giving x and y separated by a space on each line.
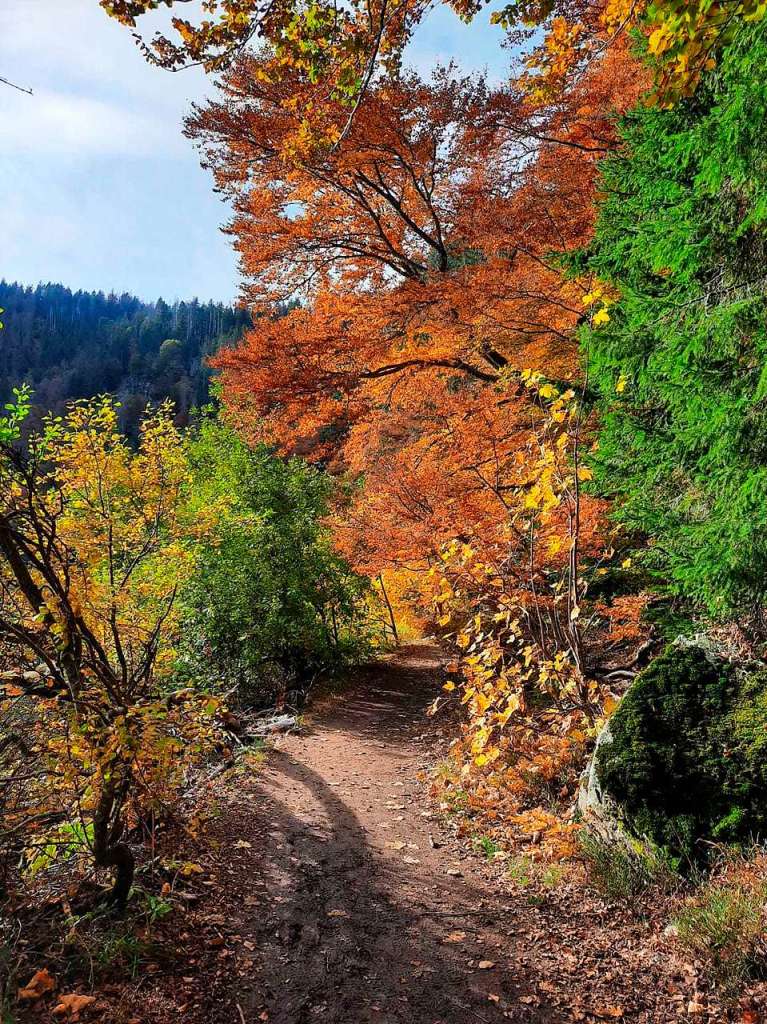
530 630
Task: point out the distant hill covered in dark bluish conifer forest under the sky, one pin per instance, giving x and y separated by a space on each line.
77 345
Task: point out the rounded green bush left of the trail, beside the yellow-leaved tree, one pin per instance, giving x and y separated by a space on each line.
271 603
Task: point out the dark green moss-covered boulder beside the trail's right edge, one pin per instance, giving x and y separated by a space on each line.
686 759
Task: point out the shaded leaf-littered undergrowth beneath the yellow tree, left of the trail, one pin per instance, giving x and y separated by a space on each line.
58 925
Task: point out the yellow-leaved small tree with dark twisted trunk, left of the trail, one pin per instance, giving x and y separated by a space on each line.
94 548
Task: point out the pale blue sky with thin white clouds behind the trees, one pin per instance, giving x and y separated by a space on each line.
99 188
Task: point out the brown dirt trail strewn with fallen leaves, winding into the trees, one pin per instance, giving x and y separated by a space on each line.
338 899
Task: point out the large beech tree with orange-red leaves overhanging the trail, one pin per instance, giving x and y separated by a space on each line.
431 360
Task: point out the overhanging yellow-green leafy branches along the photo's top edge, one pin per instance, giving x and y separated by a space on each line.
336 52
